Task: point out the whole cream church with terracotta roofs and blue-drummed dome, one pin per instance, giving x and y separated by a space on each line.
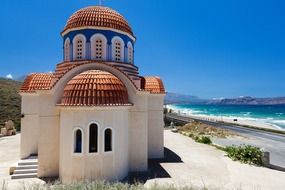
94 117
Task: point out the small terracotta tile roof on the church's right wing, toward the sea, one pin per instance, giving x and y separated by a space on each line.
153 84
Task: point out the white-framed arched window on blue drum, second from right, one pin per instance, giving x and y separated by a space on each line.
118 49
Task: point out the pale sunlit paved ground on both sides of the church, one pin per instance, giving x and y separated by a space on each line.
186 163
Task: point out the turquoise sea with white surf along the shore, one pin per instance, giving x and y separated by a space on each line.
270 117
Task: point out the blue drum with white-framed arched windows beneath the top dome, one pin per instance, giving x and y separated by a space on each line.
84 44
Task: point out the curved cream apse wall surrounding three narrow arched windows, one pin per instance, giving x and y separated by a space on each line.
109 166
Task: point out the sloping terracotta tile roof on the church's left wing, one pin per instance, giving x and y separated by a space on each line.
37 81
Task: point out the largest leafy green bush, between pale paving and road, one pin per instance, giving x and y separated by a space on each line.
245 154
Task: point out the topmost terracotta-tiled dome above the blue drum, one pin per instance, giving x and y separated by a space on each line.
98 16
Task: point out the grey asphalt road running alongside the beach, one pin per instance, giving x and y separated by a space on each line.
270 142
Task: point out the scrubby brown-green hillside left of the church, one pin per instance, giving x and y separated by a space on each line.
10 101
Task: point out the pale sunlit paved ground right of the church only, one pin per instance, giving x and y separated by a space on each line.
203 165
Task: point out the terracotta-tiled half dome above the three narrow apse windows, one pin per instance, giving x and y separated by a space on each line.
95 88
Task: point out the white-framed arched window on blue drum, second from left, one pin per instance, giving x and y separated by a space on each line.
79 47
